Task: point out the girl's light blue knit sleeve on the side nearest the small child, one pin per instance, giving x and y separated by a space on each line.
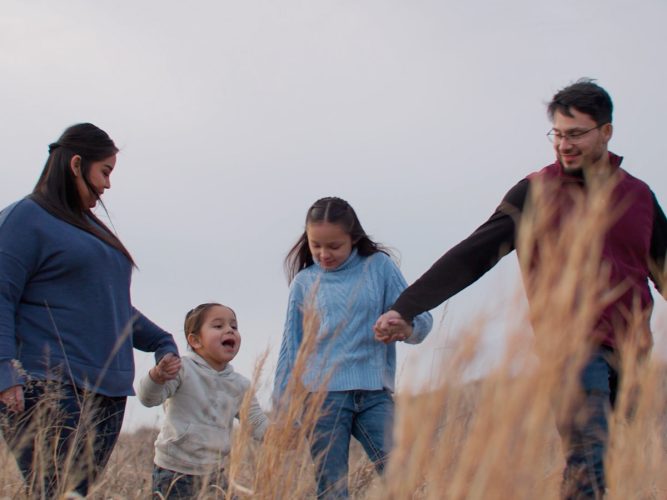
291 341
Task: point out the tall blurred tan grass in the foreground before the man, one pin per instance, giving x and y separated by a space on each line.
496 438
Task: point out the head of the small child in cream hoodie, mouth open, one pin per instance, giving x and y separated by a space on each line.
219 339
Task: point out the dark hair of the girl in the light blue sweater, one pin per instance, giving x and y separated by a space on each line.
334 211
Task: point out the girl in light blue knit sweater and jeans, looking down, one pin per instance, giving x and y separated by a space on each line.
349 279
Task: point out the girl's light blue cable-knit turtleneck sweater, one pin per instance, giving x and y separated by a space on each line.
348 301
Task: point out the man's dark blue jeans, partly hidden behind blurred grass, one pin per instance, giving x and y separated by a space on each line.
585 431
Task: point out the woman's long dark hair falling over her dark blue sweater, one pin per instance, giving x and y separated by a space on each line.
56 190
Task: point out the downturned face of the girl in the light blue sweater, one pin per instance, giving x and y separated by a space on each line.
329 244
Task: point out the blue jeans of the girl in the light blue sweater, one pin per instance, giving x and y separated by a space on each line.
366 415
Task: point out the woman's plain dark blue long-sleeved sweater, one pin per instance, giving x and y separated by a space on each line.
65 309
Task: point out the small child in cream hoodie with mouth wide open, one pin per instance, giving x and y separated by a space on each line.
201 401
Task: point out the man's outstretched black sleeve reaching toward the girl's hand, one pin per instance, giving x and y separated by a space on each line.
466 262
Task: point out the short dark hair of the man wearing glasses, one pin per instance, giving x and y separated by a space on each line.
586 97
